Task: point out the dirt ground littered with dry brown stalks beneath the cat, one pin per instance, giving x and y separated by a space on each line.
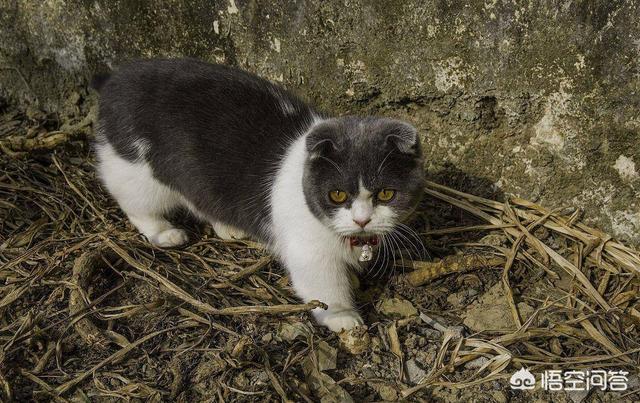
89 311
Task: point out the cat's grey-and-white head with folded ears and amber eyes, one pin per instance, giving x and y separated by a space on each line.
363 176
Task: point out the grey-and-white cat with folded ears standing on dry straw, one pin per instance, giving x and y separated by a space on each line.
254 160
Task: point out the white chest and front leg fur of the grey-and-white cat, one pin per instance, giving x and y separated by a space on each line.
317 259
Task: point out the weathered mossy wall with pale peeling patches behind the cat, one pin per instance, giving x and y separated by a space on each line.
539 98
